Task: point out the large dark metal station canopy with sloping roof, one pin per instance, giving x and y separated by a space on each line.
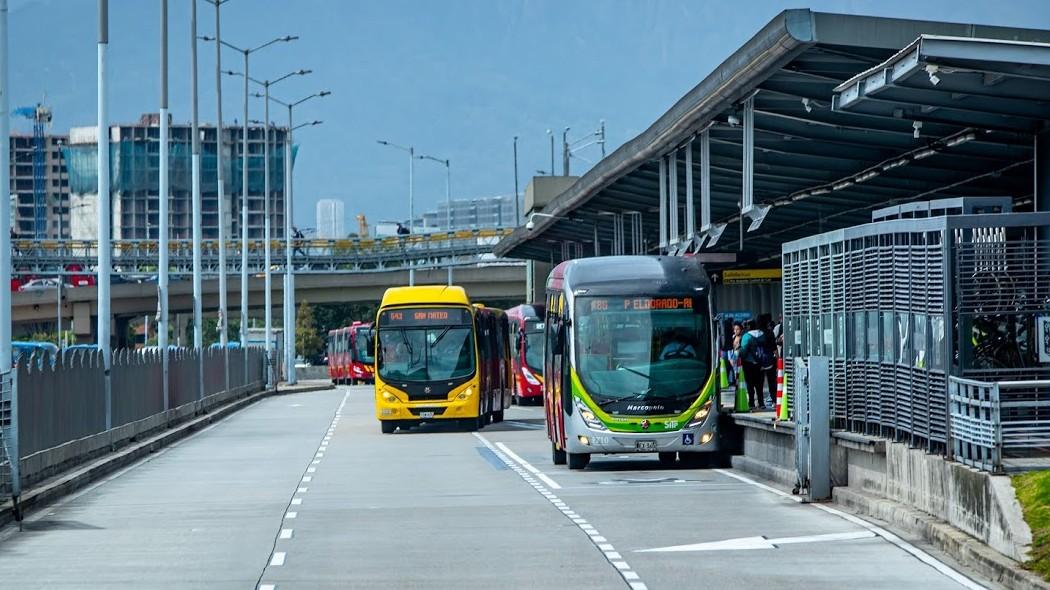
835 116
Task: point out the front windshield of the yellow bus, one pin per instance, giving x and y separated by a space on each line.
426 345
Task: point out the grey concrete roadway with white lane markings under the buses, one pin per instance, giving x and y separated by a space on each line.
304 492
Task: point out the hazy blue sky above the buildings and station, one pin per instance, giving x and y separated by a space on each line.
455 79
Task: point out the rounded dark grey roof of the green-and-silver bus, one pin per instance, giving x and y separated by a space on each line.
629 276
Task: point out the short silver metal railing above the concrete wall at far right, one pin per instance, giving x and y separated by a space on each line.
994 419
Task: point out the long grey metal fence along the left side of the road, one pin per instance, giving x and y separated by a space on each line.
61 402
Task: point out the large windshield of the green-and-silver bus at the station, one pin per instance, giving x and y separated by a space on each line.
642 353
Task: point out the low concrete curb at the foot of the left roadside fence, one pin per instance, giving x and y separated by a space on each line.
60 487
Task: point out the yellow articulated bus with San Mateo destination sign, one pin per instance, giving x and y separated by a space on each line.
440 359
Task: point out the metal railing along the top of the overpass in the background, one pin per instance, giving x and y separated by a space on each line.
308 256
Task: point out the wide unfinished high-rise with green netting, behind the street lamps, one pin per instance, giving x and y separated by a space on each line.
135 181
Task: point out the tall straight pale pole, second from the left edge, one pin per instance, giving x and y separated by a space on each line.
106 266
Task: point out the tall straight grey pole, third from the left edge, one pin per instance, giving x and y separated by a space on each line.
162 279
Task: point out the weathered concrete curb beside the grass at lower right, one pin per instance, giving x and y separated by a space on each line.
960 546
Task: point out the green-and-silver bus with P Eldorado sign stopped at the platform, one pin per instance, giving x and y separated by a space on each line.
631 360
